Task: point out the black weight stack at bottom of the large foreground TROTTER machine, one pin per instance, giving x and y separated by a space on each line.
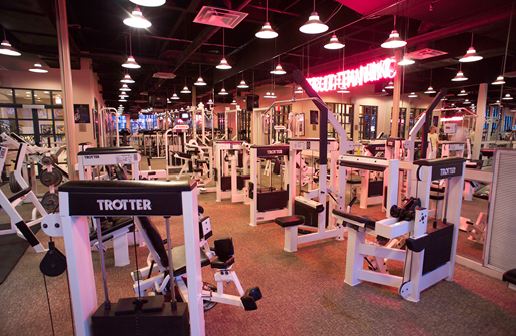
155 318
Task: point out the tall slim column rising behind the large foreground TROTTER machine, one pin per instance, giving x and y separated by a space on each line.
66 85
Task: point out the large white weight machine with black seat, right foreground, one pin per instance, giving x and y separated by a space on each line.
430 254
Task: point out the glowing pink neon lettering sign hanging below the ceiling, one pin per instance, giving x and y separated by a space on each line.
371 72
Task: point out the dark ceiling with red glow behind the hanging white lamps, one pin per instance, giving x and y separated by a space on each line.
175 44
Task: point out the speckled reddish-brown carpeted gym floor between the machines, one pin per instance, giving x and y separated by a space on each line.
304 293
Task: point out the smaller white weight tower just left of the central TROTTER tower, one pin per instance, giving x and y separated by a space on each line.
230 156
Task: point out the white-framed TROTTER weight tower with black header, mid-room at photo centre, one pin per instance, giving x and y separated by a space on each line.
268 203
